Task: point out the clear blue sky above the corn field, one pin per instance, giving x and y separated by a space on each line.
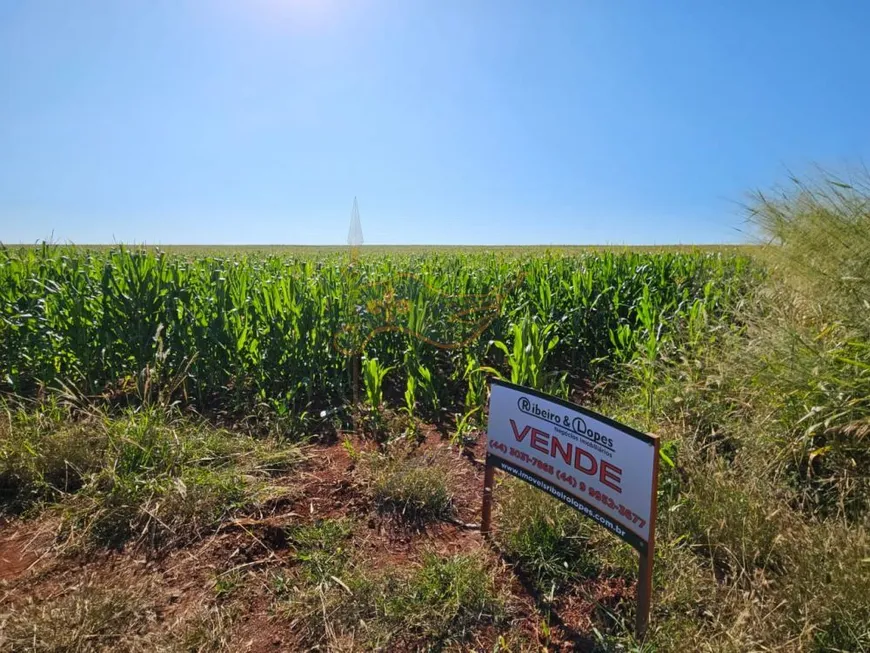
453 121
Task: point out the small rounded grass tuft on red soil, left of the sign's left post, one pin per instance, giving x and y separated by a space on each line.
410 485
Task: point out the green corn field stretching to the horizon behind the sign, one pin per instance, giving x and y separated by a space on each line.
233 332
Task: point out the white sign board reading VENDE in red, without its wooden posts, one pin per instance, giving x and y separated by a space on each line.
605 470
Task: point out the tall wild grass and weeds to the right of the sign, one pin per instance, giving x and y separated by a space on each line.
765 421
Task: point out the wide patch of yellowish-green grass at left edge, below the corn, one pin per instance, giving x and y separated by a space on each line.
147 476
